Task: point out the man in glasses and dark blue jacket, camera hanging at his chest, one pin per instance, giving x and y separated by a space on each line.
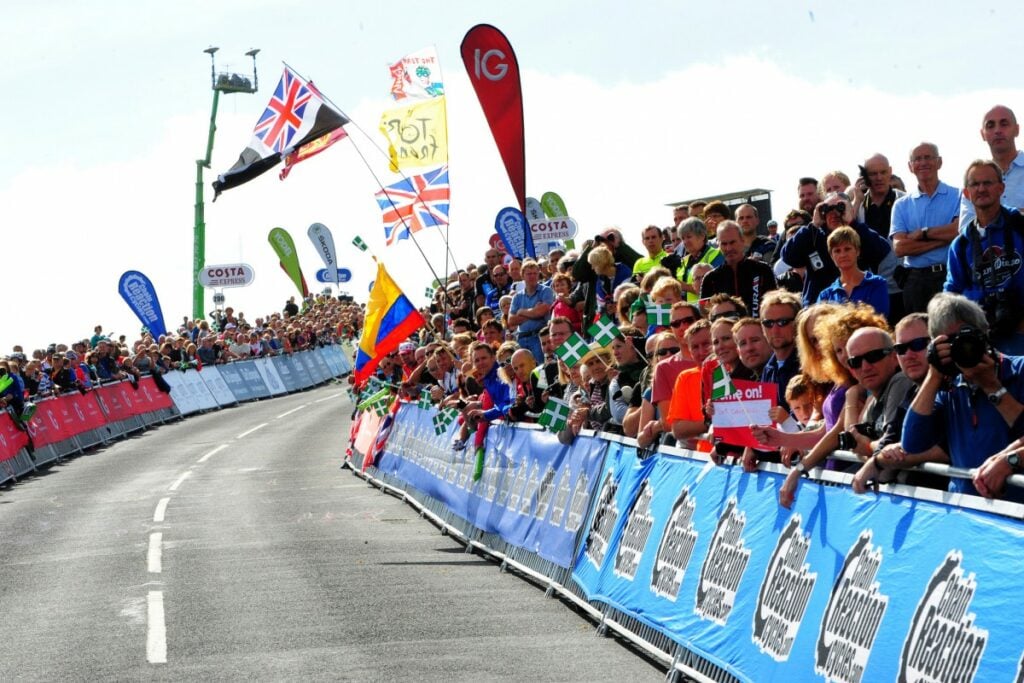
987 259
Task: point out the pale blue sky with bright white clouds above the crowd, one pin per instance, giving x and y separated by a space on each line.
628 108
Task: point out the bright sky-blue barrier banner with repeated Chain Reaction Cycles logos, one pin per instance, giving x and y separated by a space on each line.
843 588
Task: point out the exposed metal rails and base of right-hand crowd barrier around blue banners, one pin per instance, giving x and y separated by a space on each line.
558 580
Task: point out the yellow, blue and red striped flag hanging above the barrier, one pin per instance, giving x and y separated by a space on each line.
392 318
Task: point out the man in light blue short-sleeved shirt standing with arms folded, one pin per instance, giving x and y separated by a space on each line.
925 222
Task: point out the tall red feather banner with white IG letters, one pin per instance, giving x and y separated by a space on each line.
495 74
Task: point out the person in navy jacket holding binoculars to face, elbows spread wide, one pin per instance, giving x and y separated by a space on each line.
809 248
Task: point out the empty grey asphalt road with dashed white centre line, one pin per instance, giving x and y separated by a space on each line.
231 546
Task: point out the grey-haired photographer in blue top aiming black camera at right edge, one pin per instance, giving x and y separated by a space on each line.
972 394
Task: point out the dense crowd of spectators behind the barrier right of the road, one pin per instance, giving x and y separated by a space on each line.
886 317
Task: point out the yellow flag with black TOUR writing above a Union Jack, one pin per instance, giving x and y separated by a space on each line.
417 135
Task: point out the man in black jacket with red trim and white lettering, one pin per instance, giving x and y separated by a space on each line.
739 276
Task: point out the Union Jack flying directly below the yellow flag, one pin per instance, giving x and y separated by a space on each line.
418 202
